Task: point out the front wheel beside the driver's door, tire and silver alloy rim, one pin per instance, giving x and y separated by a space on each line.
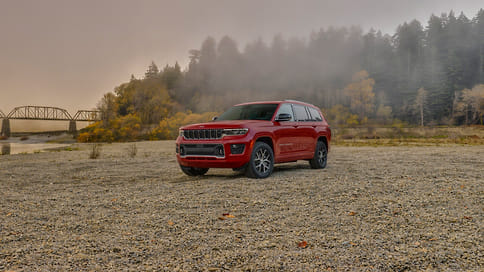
261 161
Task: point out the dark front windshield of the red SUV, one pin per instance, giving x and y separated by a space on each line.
250 112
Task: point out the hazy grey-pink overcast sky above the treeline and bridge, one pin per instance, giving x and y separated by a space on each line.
68 53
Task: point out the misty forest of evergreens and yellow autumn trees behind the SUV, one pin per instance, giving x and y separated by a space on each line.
420 76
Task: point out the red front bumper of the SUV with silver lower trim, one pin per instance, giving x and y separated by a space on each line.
220 153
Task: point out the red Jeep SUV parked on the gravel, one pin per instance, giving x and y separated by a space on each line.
253 136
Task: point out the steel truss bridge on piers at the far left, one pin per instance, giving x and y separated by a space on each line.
47 114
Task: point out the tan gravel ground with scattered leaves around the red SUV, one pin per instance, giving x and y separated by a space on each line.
372 208
